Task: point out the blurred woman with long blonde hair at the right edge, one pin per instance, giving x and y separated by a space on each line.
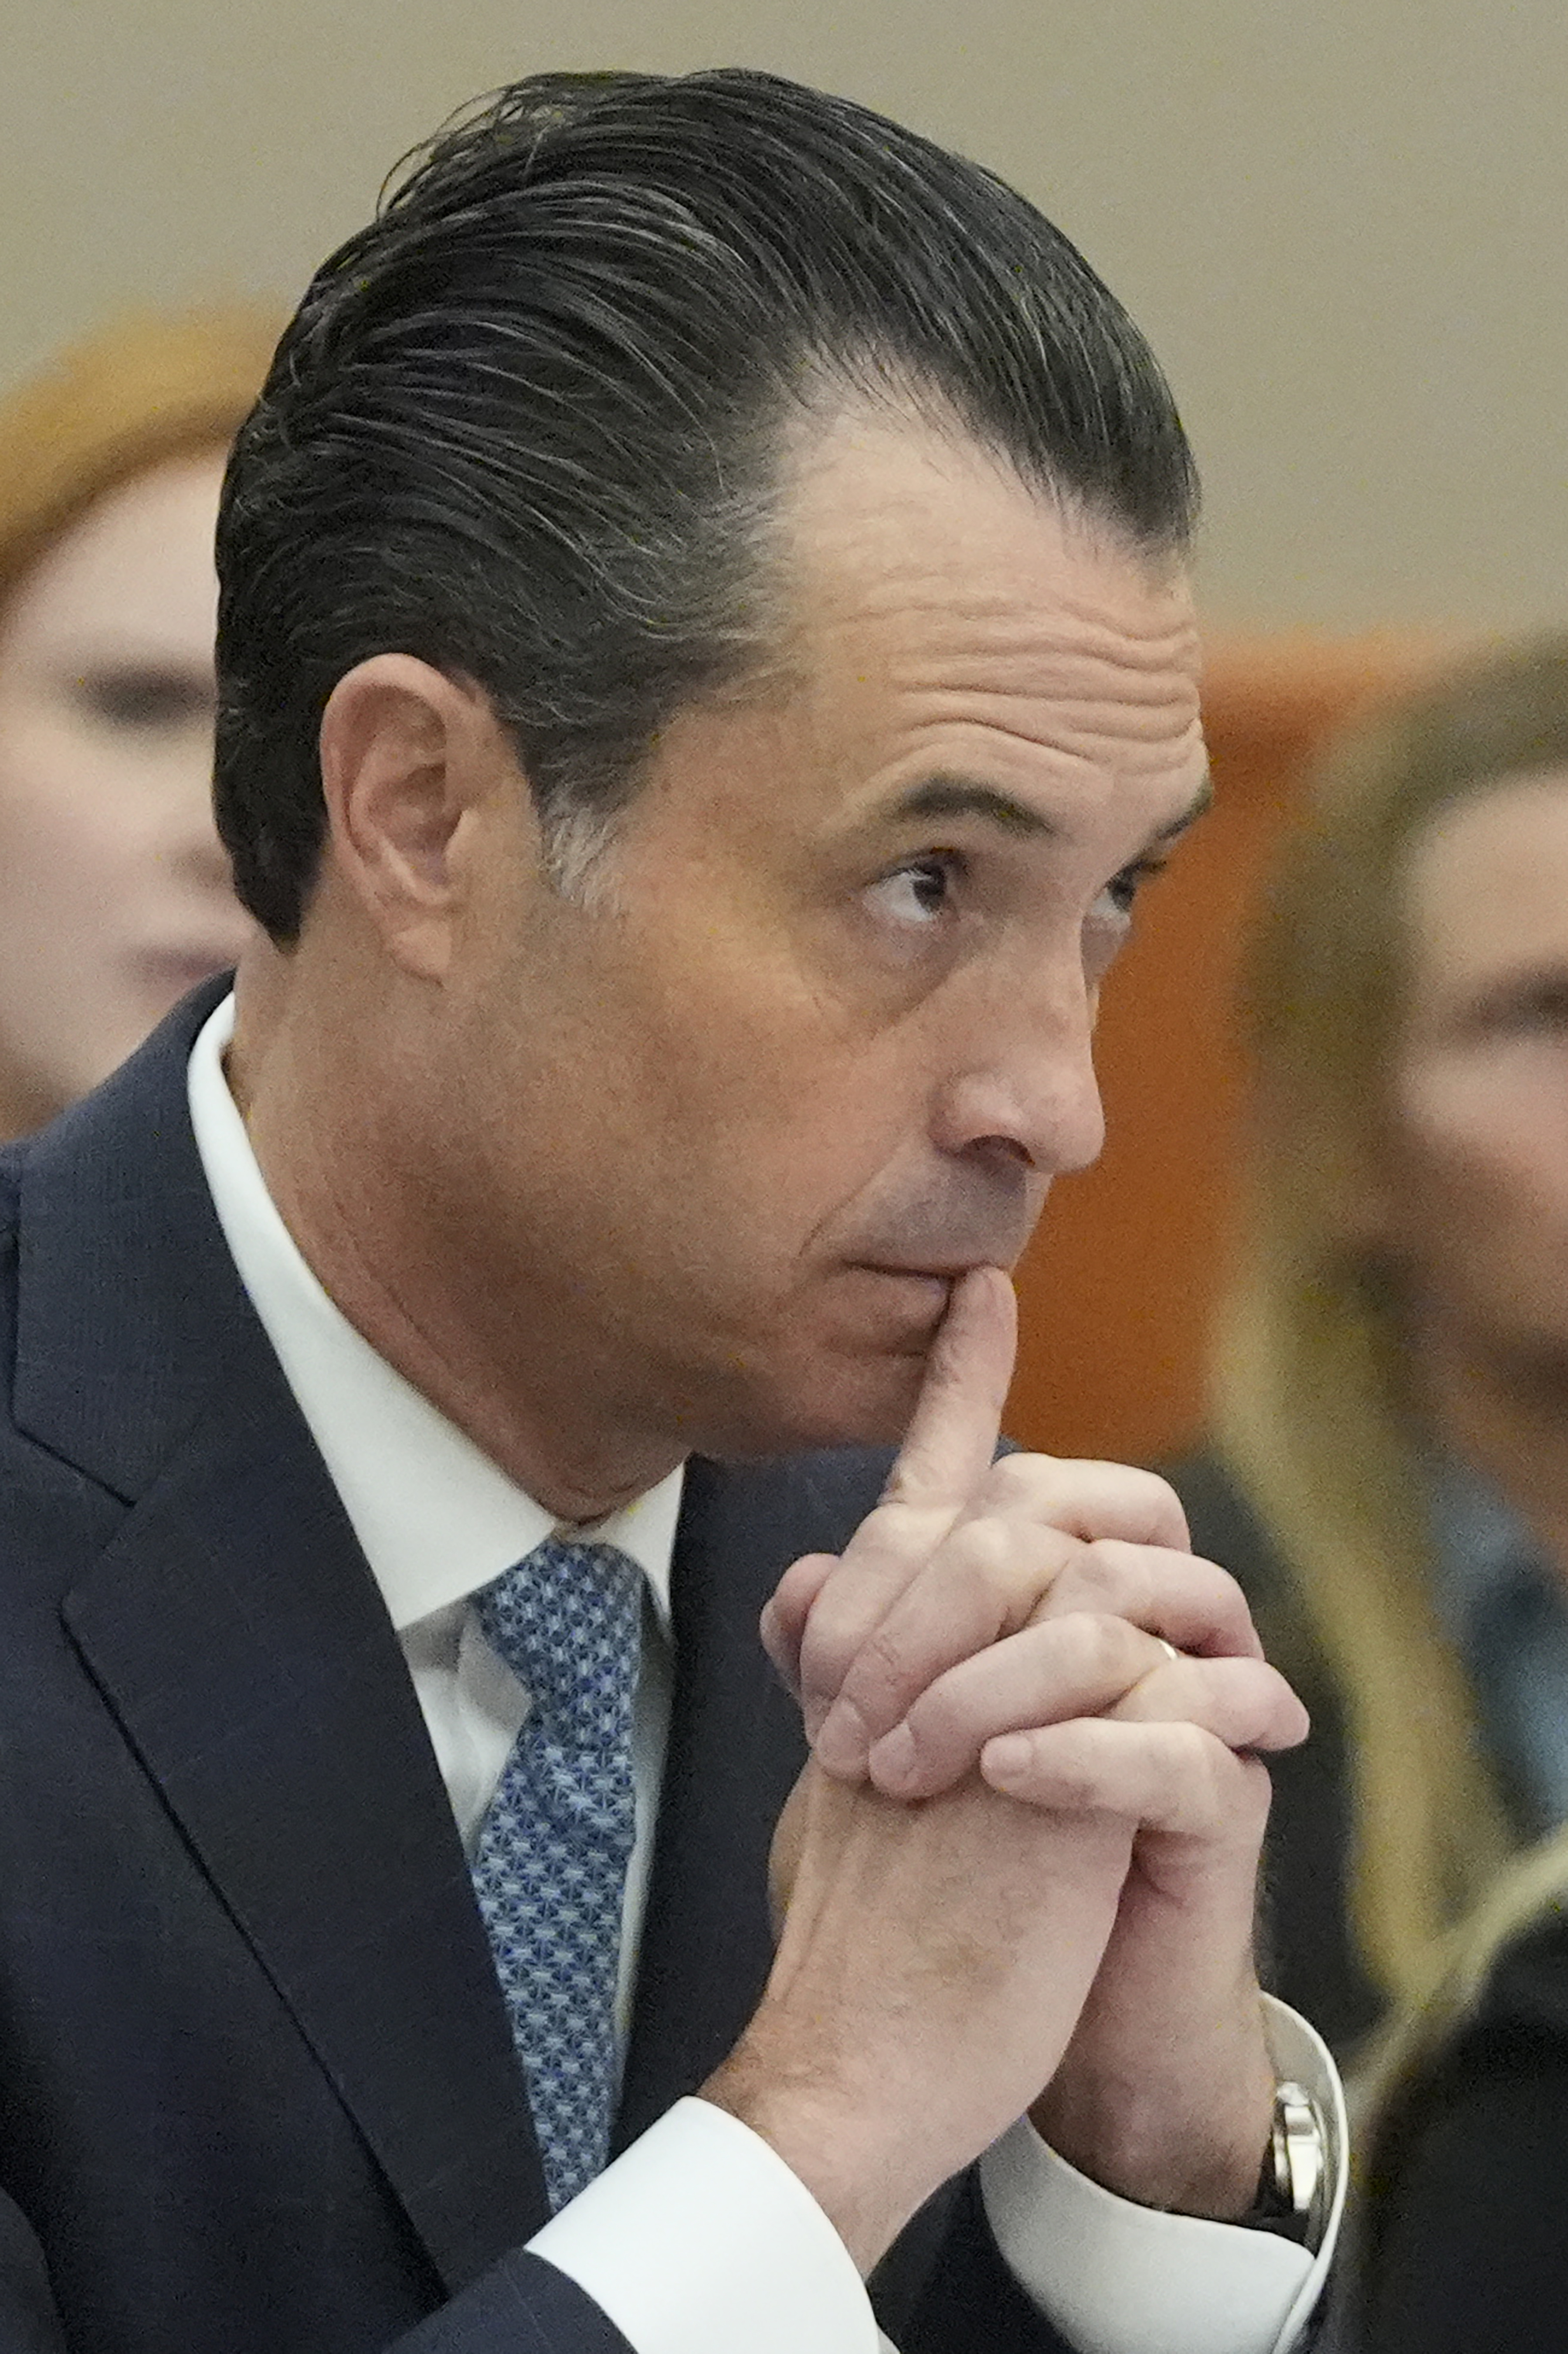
1390 1407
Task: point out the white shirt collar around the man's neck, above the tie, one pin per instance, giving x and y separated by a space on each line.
432 1512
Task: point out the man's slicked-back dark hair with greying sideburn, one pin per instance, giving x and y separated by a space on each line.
529 423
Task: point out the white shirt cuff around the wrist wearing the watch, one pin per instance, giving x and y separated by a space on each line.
1127 2280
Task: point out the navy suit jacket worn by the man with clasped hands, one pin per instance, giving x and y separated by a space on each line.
258 2089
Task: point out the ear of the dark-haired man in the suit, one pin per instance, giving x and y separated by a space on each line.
408 762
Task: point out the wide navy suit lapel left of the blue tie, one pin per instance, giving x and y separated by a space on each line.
239 1637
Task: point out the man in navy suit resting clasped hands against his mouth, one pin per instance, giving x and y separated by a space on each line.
705 665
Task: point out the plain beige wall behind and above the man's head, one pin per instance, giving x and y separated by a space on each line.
1343 222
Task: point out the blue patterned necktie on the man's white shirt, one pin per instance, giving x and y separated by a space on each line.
552 1856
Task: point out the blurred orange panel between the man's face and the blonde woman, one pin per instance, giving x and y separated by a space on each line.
1117 1289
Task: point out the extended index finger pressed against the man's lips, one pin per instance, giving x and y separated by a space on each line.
948 1451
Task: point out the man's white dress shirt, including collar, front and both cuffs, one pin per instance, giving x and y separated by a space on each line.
698 2240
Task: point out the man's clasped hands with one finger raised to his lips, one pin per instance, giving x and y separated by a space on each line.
1021 1870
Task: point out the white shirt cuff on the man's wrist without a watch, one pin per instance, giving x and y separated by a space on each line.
700 2240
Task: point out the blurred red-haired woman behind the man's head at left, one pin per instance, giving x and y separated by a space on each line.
114 891
